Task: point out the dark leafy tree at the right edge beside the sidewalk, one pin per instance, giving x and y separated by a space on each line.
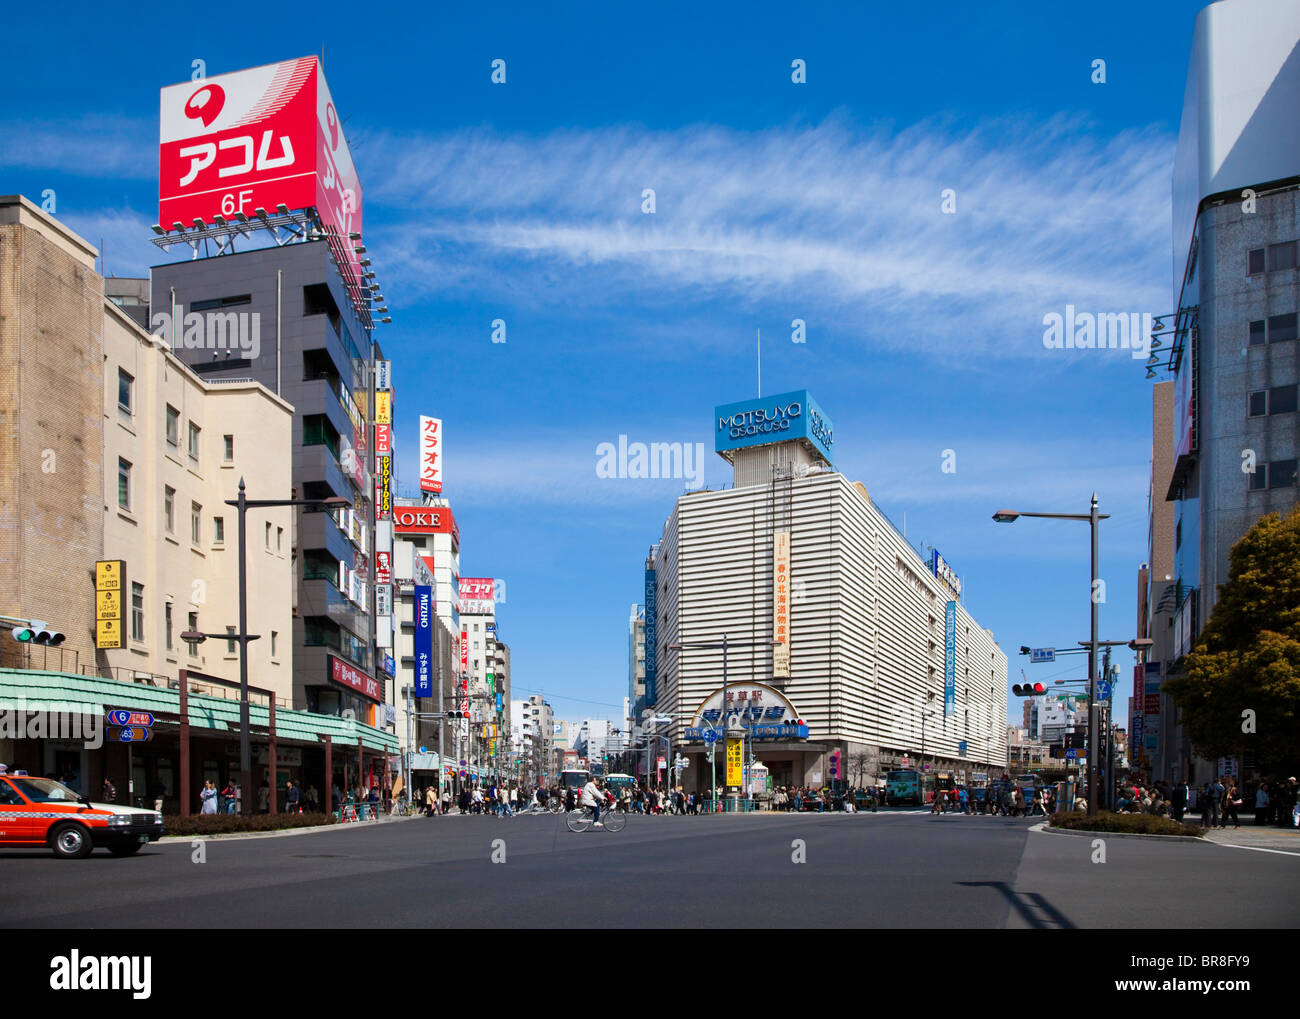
1241 692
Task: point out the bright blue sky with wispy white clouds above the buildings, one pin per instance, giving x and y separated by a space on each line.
774 202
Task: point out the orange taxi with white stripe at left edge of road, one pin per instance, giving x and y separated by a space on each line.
44 813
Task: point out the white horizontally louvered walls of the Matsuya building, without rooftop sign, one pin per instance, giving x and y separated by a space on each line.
866 631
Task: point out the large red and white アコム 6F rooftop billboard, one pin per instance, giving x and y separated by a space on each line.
258 138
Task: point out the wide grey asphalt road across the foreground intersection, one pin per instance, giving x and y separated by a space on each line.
902 870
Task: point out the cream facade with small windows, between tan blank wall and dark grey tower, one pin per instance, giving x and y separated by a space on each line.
175 450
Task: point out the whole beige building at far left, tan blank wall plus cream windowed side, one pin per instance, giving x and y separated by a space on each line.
112 449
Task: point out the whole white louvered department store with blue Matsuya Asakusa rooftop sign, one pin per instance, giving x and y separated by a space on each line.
798 552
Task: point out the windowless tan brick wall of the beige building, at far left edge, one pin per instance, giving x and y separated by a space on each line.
51 370
